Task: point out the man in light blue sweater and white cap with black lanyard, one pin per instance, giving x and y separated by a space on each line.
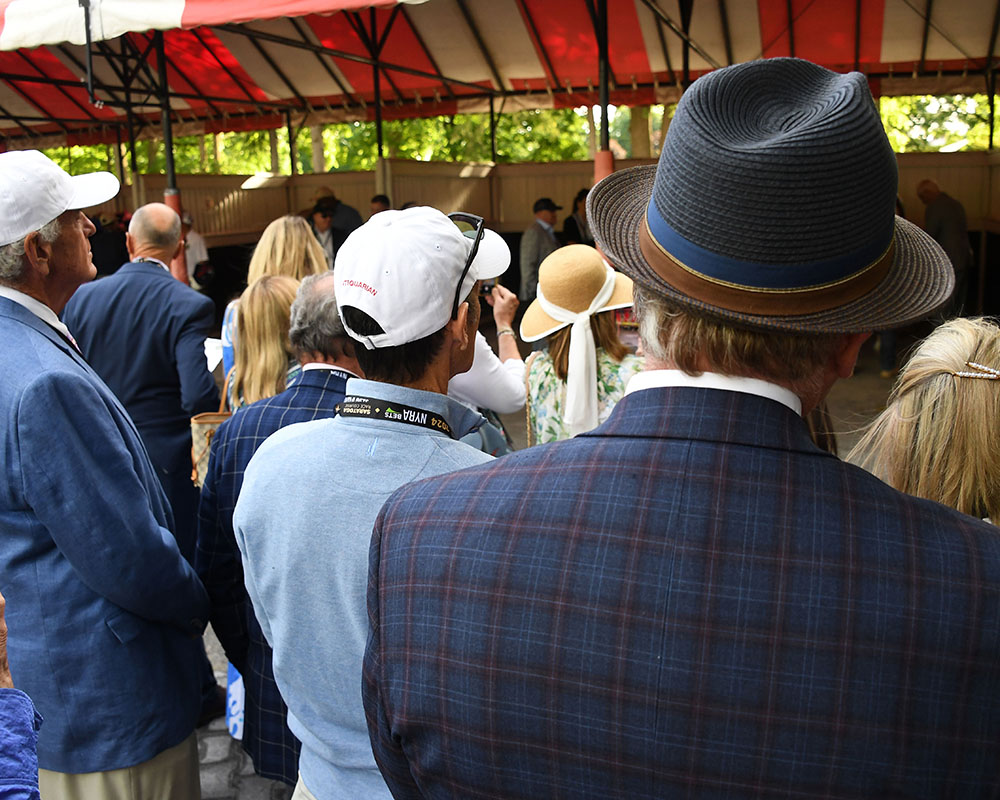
407 290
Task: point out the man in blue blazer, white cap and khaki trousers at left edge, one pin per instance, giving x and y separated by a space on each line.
104 612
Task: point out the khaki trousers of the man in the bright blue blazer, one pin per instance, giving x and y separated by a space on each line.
171 775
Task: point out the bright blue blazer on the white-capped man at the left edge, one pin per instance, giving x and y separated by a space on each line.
103 613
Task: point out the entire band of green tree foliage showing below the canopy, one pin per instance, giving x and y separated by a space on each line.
918 123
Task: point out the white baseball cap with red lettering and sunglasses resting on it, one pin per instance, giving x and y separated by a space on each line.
402 269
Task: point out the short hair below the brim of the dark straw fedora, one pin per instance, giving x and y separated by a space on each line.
694 343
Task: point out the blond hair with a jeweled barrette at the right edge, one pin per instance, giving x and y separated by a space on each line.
939 436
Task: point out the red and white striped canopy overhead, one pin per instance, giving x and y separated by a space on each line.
243 64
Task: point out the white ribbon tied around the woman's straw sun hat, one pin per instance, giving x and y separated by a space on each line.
581 410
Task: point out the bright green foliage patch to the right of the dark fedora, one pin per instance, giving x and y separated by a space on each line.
925 123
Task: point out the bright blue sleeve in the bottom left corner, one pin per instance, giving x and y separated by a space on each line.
19 724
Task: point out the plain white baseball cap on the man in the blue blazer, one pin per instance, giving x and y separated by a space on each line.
34 190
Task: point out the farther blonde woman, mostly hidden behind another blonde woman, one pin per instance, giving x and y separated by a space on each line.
287 247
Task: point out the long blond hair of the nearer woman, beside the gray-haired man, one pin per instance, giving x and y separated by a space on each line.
262 332
